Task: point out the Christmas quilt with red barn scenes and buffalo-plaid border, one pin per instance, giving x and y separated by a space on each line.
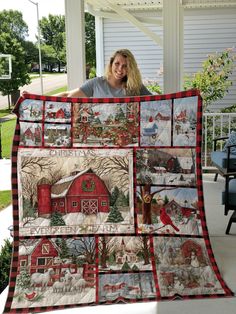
108 203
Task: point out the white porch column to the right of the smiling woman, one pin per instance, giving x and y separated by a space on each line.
172 45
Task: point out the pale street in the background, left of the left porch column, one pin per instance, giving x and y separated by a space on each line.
50 82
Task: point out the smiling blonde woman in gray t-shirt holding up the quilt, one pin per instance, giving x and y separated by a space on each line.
122 78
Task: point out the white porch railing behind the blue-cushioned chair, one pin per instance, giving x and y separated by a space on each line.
215 125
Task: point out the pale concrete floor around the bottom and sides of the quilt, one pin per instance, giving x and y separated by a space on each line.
224 249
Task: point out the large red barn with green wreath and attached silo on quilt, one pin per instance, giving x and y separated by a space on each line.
83 192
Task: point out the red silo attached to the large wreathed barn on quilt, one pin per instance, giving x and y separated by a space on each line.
44 198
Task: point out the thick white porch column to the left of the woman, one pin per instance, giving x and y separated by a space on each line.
75 43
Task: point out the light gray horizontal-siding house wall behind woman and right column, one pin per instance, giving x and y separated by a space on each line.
205 31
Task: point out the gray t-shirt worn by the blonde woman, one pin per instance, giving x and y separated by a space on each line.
98 87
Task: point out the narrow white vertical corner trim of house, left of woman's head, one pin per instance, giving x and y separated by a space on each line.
99 46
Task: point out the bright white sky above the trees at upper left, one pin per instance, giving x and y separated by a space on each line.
29 11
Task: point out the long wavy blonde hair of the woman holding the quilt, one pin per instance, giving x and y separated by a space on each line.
133 80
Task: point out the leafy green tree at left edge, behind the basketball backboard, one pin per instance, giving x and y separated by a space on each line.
12 33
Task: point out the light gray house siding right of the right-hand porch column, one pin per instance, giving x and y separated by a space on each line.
208 31
